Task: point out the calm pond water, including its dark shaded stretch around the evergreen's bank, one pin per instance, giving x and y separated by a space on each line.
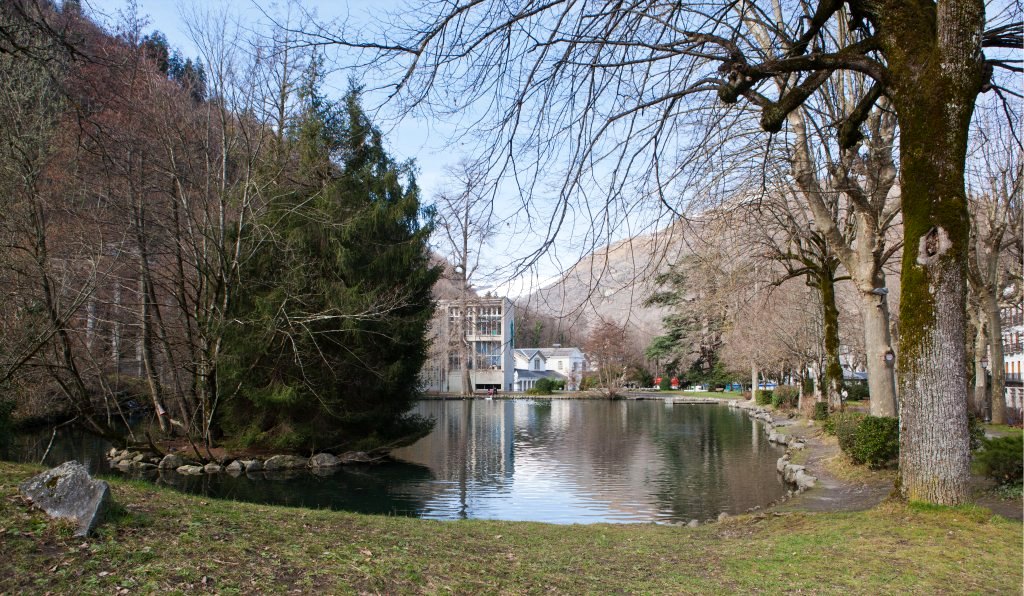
554 461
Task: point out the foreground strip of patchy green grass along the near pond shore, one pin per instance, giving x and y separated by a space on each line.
161 541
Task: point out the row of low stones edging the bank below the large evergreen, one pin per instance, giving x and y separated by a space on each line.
135 461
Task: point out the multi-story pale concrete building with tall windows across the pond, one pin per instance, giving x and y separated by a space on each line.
480 327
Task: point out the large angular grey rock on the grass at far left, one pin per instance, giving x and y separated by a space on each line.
68 492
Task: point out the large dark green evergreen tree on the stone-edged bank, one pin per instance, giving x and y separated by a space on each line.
329 331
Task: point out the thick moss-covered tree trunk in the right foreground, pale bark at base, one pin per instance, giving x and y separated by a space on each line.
937 73
